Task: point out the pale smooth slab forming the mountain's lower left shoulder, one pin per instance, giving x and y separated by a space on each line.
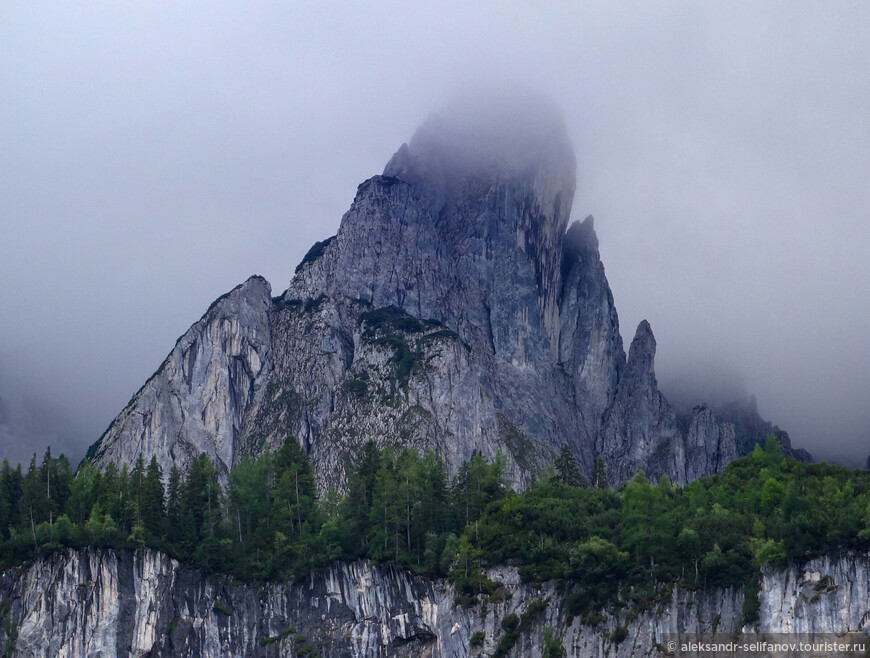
199 398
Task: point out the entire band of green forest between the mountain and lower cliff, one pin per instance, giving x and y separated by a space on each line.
268 523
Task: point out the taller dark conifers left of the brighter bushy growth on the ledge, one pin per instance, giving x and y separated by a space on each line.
266 523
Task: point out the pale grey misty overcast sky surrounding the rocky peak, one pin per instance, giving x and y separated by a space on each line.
153 155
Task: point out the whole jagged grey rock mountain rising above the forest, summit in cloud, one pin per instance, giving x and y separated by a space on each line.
453 312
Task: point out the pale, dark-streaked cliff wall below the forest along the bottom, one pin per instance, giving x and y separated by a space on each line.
104 603
